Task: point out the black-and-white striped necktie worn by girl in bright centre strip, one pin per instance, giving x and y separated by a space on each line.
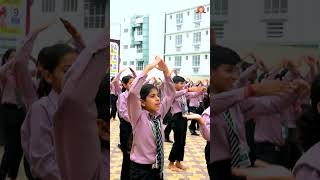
156 129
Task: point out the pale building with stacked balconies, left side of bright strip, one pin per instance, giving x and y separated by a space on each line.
135 42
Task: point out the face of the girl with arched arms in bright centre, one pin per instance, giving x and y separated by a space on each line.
152 102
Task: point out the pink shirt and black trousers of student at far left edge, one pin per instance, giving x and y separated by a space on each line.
17 95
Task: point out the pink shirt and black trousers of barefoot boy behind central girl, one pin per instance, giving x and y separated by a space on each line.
178 108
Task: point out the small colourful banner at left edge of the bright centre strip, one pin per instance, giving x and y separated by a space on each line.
114 57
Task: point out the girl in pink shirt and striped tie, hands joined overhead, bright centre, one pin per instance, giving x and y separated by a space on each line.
146 112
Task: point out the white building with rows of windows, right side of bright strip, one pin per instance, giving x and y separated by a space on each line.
187 41
